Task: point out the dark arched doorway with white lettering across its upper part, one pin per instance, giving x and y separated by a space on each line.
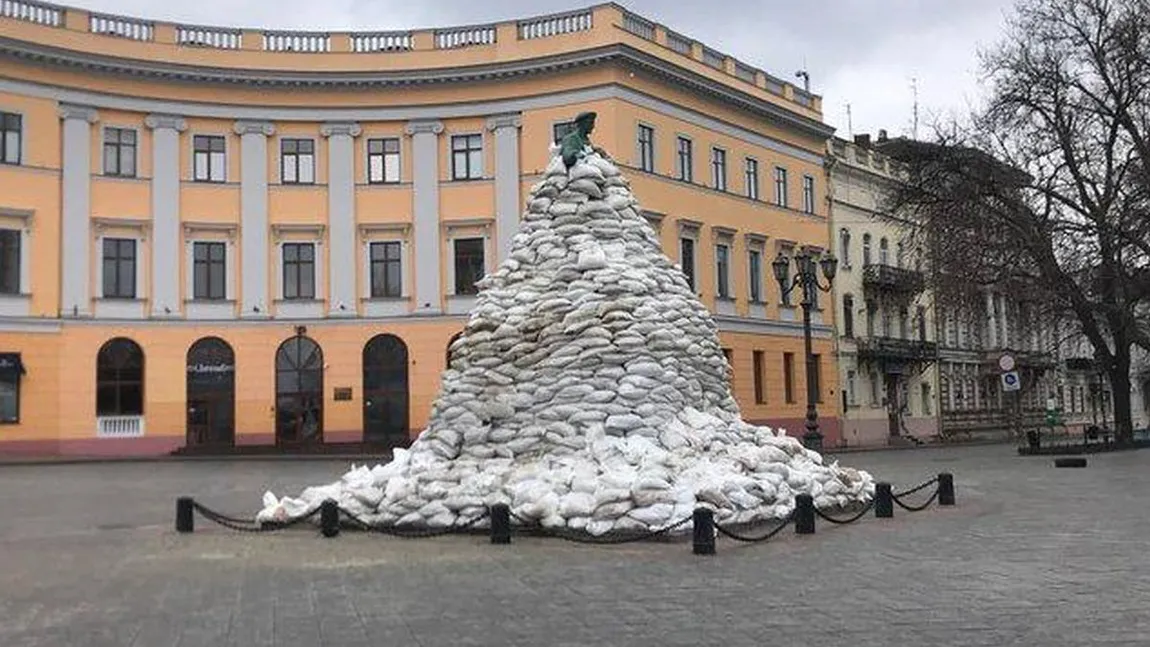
211 394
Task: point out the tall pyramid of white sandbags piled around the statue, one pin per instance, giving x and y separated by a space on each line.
588 391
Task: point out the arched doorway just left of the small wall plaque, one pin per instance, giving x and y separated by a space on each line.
300 392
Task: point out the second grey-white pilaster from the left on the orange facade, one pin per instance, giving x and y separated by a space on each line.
166 256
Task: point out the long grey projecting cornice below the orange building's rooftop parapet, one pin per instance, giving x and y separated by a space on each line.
620 53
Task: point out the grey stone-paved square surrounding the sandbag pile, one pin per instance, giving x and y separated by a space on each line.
1031 556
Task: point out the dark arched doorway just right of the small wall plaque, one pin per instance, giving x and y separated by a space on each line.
386 395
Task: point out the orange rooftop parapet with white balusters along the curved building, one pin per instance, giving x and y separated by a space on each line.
60 27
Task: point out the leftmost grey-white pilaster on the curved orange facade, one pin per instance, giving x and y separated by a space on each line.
76 198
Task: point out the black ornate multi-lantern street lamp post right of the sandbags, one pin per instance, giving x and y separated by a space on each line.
808 279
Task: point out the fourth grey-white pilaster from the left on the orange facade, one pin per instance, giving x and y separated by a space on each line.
342 217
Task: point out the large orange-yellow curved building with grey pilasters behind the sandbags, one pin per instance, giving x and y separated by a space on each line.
218 236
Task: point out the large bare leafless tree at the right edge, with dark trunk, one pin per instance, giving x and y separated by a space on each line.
1045 192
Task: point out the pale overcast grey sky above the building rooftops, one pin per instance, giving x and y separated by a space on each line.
860 52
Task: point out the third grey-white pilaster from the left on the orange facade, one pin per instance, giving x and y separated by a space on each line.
254 215
